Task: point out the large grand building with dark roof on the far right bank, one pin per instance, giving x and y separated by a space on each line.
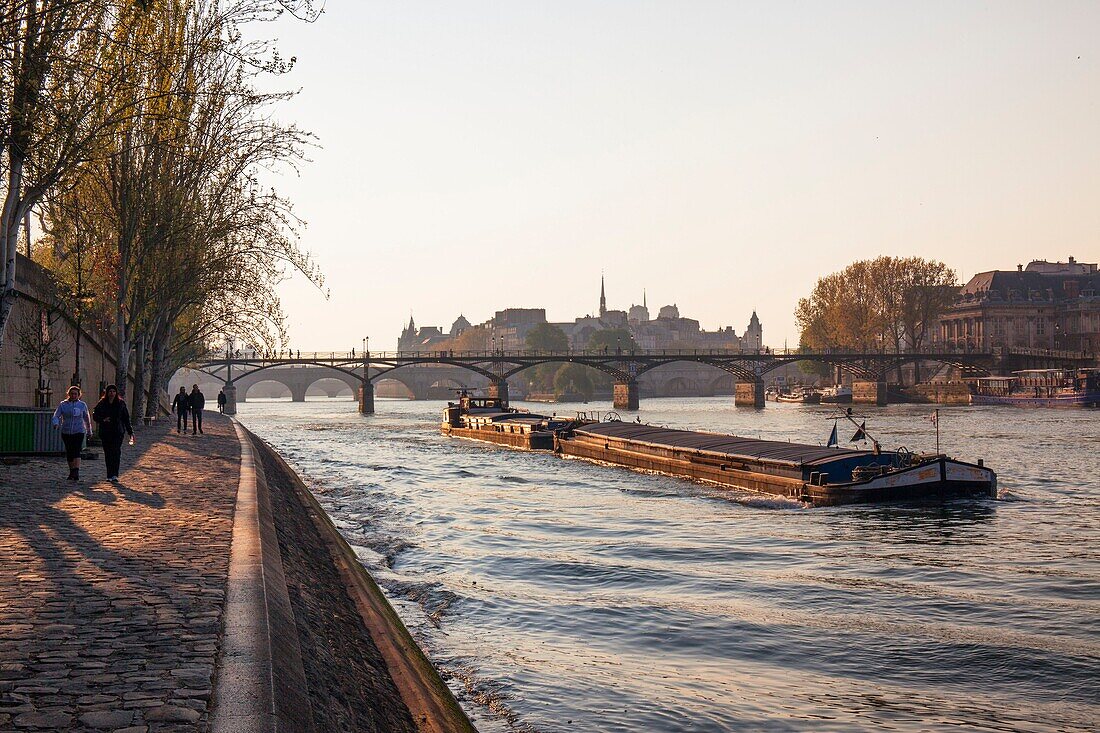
1047 305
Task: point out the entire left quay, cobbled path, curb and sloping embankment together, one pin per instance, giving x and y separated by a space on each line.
205 592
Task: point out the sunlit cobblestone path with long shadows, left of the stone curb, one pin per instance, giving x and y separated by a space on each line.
112 595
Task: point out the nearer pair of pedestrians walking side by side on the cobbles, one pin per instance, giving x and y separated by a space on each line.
113 418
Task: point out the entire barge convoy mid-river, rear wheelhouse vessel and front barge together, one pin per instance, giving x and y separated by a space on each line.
820 476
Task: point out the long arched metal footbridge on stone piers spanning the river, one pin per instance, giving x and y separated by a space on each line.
749 369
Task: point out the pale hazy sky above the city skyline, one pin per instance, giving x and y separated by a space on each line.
723 156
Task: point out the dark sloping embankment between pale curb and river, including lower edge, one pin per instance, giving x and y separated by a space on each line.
362 669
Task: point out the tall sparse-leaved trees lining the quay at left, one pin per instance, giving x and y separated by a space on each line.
137 132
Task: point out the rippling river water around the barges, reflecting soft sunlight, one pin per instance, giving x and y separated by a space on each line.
562 596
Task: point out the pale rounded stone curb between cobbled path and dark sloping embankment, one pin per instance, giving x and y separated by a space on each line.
261 686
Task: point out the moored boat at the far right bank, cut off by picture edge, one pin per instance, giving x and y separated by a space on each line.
1040 388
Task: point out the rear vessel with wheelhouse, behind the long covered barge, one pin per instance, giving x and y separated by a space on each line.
492 421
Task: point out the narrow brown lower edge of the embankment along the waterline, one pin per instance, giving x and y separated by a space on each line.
428 699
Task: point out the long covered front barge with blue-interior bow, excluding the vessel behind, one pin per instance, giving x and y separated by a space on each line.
821 476
